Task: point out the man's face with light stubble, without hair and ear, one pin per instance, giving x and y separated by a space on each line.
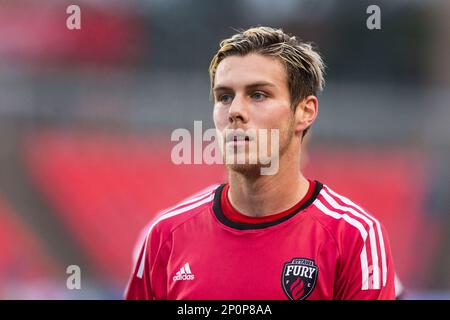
250 94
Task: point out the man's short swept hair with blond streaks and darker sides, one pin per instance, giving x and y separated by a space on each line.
304 66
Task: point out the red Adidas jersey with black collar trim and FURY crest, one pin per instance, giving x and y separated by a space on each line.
325 247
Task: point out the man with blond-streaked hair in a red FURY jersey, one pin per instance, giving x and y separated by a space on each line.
264 236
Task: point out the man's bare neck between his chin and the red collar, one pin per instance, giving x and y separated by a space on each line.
267 194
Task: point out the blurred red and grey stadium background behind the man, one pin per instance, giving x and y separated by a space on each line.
86 118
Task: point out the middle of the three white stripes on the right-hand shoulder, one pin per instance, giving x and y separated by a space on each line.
372 238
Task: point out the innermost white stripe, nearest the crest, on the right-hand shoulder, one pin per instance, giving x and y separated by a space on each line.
355 223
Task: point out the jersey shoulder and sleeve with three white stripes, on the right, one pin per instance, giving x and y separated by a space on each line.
359 236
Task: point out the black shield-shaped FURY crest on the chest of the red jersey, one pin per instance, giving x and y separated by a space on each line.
299 278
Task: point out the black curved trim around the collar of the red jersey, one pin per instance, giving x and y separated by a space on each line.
217 208
